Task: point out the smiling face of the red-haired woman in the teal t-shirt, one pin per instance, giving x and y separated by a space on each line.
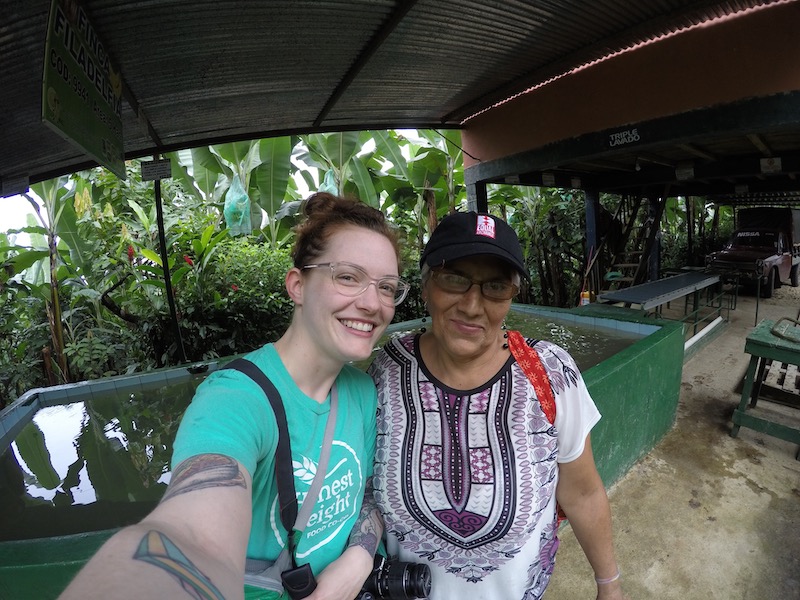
346 328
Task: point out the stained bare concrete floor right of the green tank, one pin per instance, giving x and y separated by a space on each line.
704 515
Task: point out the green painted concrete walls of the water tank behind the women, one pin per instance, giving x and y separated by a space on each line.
636 390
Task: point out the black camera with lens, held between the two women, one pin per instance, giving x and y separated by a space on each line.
395 580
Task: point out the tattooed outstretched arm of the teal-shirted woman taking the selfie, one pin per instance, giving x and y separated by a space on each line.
194 542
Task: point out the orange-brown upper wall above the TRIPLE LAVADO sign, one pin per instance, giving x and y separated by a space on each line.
751 55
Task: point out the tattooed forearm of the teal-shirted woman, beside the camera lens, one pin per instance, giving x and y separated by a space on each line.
345 576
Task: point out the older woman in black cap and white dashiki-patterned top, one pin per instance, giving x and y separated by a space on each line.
470 471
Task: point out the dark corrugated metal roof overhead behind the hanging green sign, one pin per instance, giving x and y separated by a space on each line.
212 71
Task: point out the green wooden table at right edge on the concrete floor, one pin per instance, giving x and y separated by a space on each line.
769 341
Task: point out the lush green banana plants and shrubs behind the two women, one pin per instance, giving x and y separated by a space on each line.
89 296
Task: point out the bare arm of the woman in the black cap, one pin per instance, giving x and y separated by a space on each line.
583 499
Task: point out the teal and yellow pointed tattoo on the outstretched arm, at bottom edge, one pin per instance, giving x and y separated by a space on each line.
158 550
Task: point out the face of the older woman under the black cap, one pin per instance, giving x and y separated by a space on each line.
467 325
